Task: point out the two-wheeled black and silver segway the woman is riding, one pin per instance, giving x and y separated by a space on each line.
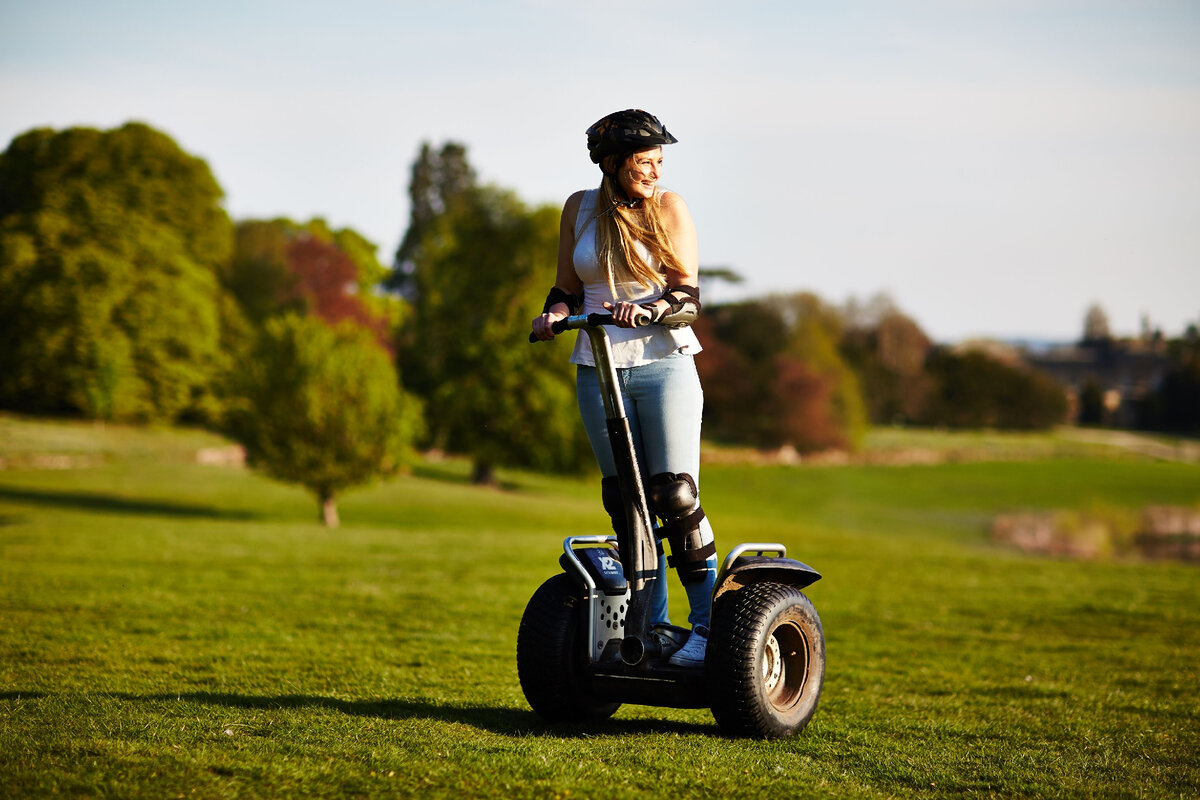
586 645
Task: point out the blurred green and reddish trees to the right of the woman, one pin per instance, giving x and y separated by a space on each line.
795 371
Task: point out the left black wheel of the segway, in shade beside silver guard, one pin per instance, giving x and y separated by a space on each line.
550 655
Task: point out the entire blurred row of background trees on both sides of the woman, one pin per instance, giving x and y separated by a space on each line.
128 293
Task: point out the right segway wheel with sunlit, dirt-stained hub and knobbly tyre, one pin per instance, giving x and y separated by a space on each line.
765 661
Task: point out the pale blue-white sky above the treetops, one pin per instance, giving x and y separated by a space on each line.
995 167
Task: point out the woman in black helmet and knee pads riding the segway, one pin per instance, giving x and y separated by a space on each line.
631 249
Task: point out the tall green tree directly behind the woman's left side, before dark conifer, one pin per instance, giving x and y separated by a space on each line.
481 274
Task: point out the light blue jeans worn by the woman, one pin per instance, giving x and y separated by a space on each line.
664 404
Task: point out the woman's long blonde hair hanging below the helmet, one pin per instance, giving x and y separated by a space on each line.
619 227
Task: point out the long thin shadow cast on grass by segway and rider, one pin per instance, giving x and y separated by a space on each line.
511 723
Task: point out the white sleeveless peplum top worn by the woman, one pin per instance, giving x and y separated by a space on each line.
632 347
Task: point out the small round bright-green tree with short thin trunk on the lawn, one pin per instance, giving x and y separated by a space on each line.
322 407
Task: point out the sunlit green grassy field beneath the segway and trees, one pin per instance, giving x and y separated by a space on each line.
170 629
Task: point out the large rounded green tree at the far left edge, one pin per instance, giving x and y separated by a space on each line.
110 244
